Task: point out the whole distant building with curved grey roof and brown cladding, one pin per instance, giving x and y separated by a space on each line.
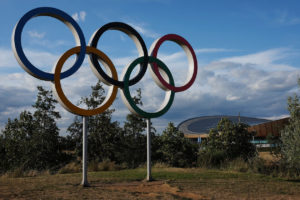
197 129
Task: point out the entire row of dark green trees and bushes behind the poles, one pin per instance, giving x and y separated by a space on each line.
32 141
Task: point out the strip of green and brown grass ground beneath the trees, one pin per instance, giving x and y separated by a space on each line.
170 183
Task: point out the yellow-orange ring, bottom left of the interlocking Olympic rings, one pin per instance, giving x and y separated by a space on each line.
111 95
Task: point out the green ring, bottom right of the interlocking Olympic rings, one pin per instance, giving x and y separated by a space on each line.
128 97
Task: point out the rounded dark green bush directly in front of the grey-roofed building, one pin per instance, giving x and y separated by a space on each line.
226 142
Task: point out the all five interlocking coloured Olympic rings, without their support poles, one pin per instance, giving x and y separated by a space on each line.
159 71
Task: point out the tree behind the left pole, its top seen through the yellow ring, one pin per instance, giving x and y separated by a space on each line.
103 134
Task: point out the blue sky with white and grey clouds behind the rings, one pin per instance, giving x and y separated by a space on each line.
248 54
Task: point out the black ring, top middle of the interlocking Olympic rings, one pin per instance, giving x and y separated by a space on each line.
132 33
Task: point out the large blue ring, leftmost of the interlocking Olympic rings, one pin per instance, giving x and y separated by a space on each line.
60 15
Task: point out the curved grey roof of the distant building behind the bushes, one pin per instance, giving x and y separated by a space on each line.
202 125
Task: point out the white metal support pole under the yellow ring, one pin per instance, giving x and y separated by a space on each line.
84 181
